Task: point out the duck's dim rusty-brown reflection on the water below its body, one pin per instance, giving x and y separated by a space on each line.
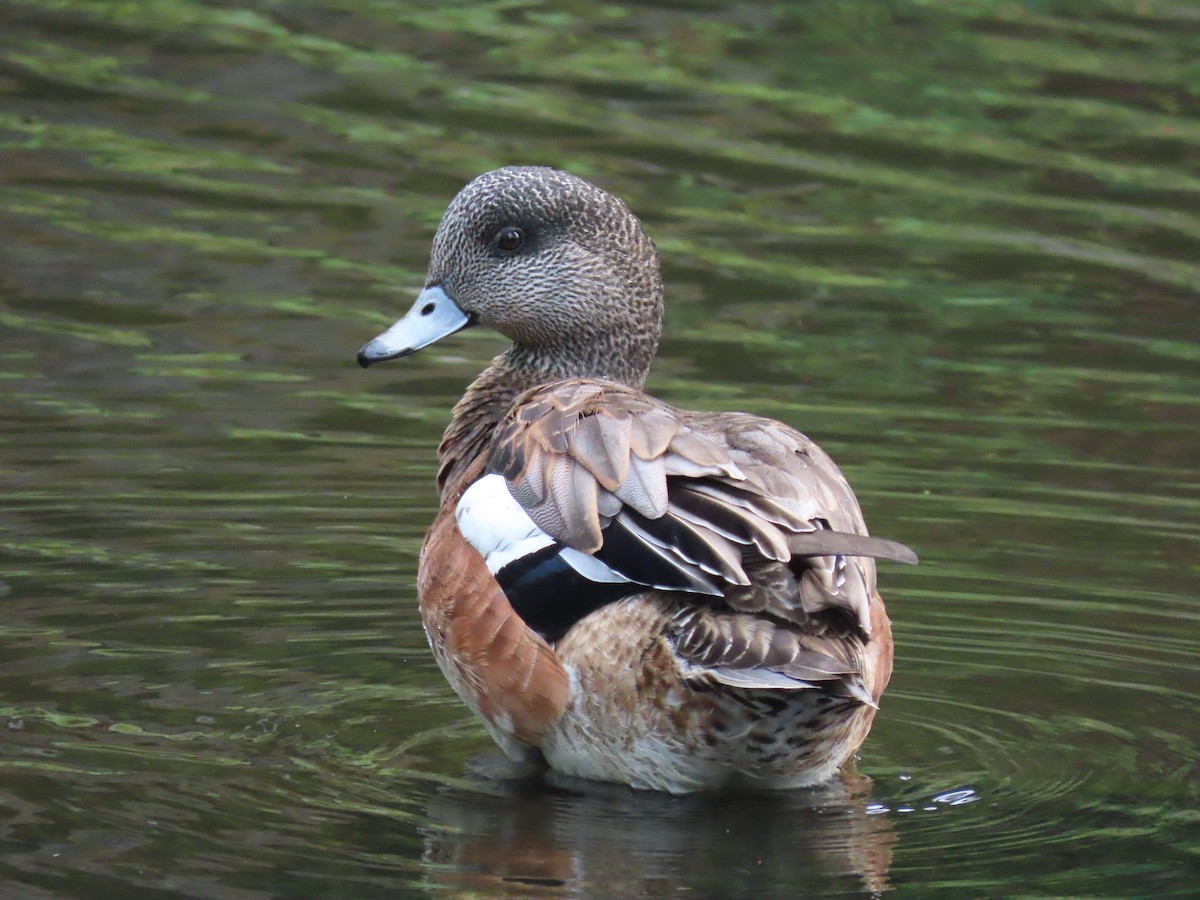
535 838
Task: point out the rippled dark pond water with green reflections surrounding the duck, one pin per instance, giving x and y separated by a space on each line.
956 242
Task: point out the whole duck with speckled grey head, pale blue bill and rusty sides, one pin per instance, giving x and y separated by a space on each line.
621 590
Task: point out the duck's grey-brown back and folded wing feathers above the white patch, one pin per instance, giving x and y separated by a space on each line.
691 502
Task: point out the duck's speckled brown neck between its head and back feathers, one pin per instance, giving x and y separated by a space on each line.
515 371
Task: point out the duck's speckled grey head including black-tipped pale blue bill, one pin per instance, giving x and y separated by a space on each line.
554 263
